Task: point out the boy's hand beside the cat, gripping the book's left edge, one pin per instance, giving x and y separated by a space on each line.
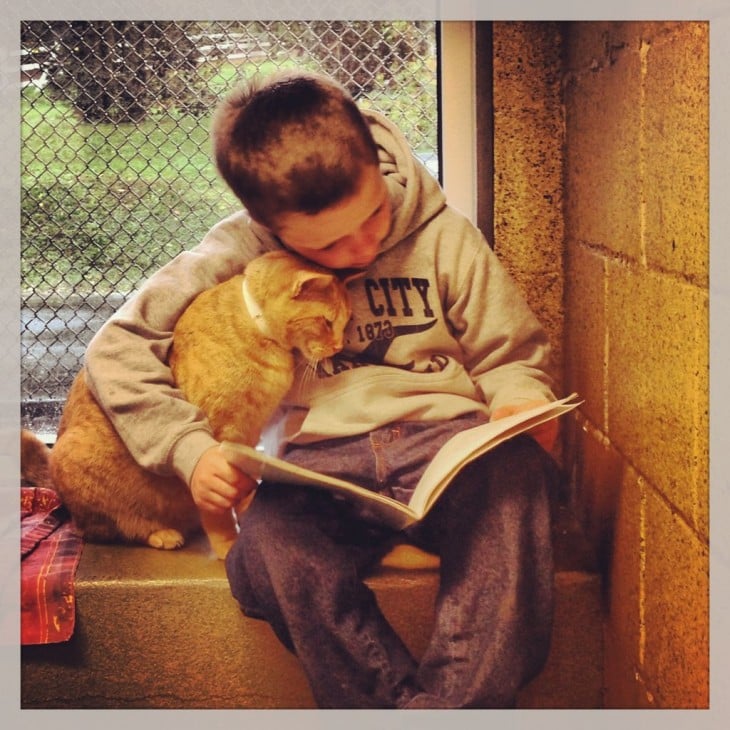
216 485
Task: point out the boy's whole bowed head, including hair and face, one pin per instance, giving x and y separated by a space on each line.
299 155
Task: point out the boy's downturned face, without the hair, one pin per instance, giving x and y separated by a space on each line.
346 235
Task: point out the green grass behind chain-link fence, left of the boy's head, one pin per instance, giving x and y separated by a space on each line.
105 205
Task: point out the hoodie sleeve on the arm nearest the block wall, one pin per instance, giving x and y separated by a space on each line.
506 350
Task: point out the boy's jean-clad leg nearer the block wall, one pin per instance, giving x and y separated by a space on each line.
494 609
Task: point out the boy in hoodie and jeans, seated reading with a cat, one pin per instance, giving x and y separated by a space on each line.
440 340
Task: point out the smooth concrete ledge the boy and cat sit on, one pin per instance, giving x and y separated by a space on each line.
161 630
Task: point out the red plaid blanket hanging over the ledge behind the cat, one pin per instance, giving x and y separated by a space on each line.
50 549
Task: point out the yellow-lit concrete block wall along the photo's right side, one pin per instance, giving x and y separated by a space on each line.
636 327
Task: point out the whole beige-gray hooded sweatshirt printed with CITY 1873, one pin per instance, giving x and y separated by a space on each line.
438 330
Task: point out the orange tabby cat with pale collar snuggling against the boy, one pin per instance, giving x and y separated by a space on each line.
250 332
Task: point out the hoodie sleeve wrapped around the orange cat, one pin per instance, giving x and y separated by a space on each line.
126 361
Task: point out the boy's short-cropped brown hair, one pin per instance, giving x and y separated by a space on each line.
292 142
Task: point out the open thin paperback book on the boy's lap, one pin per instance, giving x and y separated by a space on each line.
453 456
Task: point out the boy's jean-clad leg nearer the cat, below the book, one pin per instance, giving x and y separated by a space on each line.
298 562
